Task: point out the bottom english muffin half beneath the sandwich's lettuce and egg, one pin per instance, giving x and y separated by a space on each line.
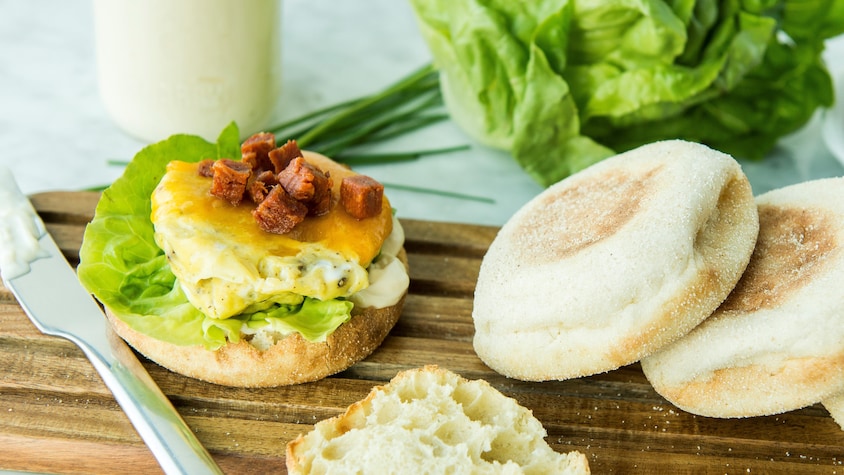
291 360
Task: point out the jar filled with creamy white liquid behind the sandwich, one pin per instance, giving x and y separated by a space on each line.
188 66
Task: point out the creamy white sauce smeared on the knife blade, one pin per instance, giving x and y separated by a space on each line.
20 229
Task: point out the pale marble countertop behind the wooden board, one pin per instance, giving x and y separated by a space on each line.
55 133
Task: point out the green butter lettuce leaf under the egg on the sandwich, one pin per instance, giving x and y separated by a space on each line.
123 267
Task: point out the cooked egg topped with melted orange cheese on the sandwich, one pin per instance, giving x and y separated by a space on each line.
227 265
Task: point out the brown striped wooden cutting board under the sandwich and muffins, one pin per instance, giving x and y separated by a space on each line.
57 416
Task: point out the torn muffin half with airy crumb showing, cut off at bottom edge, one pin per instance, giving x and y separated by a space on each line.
431 421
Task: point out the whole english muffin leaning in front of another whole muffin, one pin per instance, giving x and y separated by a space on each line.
613 263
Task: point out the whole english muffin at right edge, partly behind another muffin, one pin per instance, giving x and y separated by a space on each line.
777 342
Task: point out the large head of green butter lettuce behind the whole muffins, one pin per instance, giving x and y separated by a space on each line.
562 84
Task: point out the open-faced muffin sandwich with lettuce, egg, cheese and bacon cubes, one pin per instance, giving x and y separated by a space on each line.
248 264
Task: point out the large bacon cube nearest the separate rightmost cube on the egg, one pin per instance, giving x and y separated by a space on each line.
307 184
